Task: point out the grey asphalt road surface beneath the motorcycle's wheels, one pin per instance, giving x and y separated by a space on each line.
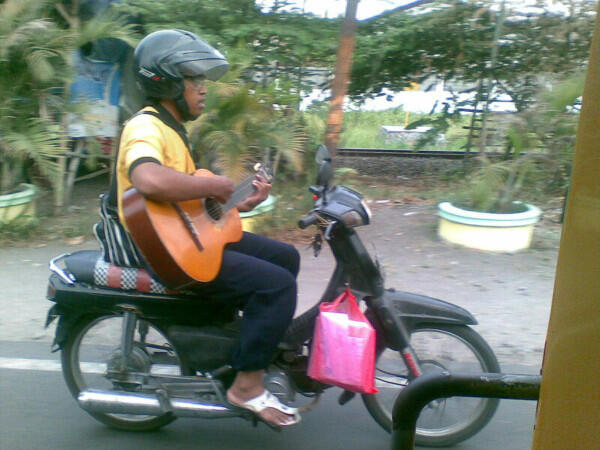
38 412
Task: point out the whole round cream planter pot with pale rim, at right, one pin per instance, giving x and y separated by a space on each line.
497 232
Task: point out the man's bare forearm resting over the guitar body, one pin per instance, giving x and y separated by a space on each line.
164 184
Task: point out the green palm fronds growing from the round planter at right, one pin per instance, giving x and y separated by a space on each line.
550 125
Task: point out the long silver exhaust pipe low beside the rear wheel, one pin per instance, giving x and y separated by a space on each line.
108 402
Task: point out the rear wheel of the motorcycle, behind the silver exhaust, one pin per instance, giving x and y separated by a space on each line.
91 359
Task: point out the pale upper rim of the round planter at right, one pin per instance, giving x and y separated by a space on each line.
531 215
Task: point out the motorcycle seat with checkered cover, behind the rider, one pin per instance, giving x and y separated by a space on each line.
89 266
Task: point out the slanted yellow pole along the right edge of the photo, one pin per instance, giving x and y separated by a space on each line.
569 407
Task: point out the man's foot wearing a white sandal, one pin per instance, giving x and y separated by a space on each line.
267 407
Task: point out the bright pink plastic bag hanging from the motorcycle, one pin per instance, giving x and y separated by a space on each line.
343 346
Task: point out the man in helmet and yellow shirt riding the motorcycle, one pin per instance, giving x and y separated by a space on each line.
257 274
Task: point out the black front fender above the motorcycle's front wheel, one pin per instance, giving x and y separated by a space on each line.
414 309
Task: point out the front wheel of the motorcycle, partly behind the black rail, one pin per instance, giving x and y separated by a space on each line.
439 347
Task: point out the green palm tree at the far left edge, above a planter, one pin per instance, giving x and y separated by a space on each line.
28 65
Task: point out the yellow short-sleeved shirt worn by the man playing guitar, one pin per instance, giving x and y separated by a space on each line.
147 136
